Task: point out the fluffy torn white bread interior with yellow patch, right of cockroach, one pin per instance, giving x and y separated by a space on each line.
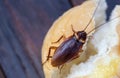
106 43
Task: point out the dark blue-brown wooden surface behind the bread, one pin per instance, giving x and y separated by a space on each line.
23 25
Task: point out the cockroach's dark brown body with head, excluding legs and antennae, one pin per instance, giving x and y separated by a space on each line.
69 49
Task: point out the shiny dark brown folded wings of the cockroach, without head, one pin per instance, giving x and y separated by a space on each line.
66 51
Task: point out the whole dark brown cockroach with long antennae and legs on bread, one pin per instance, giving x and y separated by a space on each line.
70 48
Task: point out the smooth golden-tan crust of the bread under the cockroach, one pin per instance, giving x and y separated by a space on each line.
78 17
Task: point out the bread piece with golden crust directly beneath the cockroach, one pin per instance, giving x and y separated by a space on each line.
79 17
